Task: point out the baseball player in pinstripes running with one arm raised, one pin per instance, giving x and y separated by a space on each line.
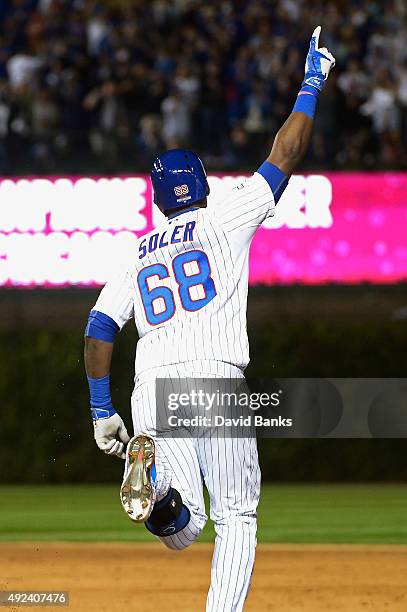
186 288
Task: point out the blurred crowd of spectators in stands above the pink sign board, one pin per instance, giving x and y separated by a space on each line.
102 86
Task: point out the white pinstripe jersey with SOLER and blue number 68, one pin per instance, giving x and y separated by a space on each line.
186 286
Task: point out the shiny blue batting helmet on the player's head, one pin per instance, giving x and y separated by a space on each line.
178 179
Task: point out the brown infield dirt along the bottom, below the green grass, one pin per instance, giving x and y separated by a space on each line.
115 577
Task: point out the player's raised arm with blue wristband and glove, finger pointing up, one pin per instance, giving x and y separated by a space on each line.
292 140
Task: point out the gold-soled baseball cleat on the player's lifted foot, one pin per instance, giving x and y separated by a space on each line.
137 493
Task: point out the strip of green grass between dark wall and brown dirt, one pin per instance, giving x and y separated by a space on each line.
358 514
